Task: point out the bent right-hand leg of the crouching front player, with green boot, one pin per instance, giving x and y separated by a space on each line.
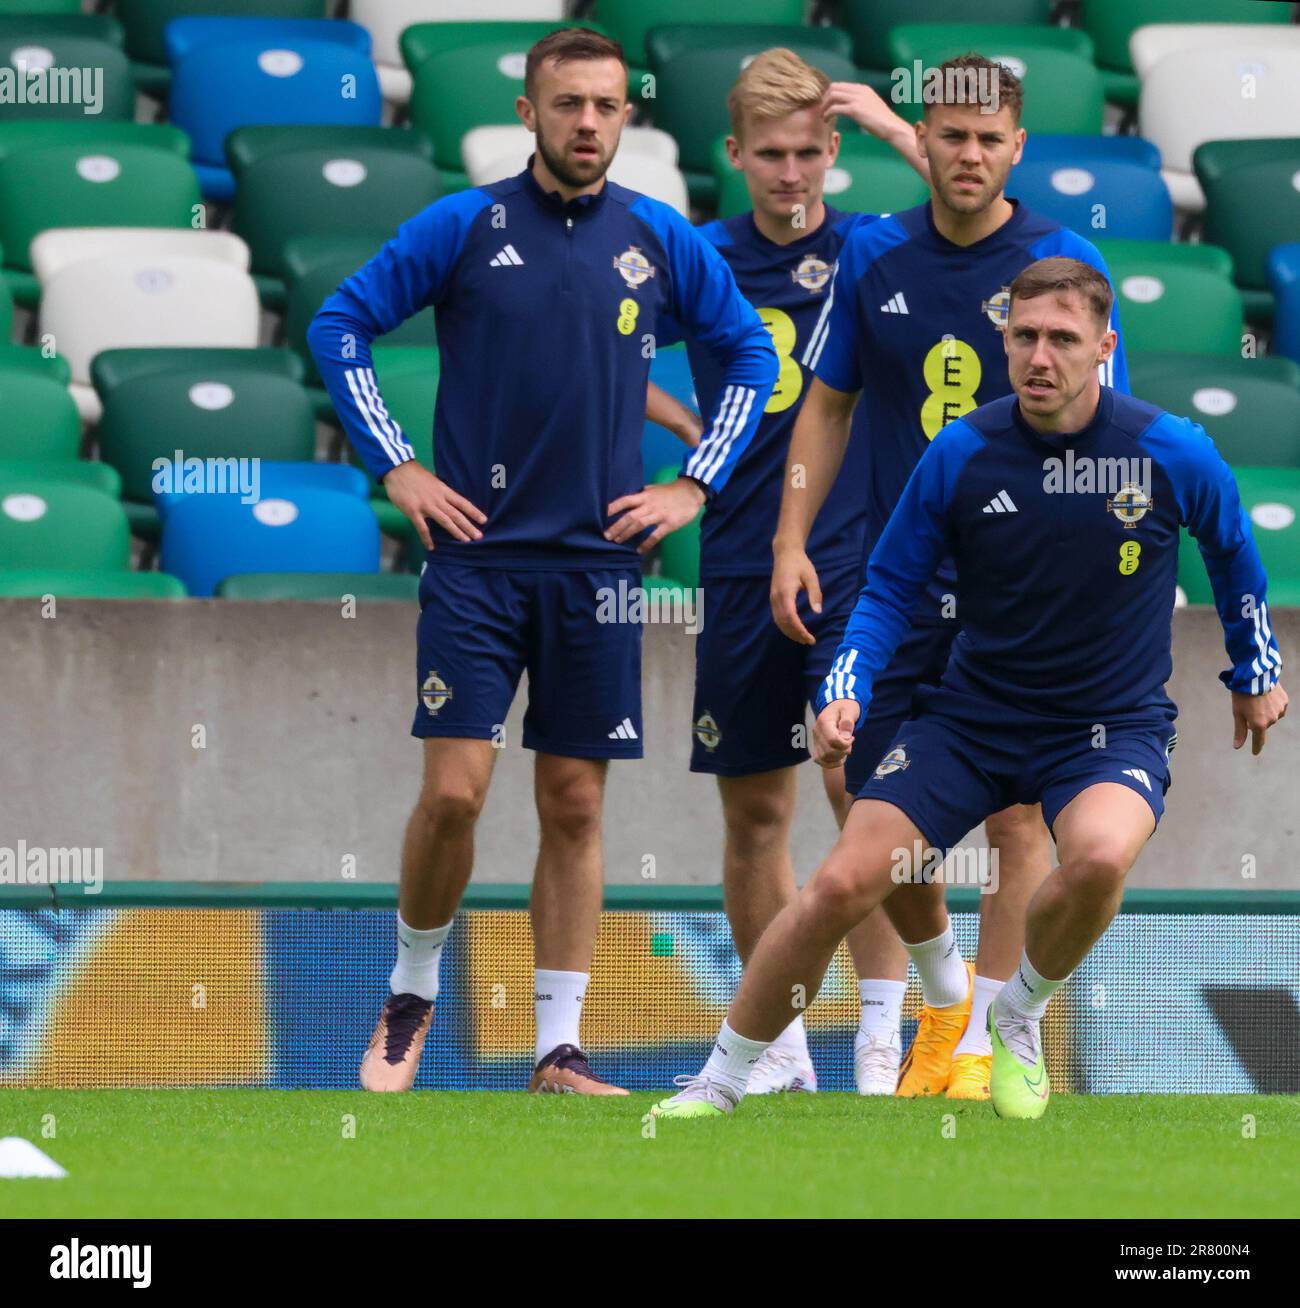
1099 836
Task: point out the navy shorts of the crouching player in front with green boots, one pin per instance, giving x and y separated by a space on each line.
963 758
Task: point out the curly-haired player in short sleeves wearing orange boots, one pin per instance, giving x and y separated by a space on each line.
914 338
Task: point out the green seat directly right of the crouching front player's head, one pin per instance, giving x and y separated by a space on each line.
1169 308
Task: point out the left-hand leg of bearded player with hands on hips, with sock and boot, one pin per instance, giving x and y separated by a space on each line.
437 859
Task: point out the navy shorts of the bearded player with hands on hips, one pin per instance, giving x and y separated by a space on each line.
481 628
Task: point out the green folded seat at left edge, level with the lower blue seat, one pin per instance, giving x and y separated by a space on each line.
46 523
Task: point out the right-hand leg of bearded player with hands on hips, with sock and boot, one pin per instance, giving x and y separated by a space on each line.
566 908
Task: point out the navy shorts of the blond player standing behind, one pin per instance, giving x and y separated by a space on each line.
753 682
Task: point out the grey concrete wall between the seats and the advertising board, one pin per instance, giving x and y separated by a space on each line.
308 757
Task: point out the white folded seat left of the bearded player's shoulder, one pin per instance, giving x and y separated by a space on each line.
145 300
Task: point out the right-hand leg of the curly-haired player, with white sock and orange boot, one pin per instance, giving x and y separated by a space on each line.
1025 860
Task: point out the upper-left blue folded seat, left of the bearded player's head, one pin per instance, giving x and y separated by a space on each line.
220 87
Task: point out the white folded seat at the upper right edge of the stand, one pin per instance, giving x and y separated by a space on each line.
1217 94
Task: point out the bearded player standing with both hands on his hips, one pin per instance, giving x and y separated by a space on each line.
546 287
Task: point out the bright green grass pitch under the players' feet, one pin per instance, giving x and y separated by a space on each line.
247 1153
